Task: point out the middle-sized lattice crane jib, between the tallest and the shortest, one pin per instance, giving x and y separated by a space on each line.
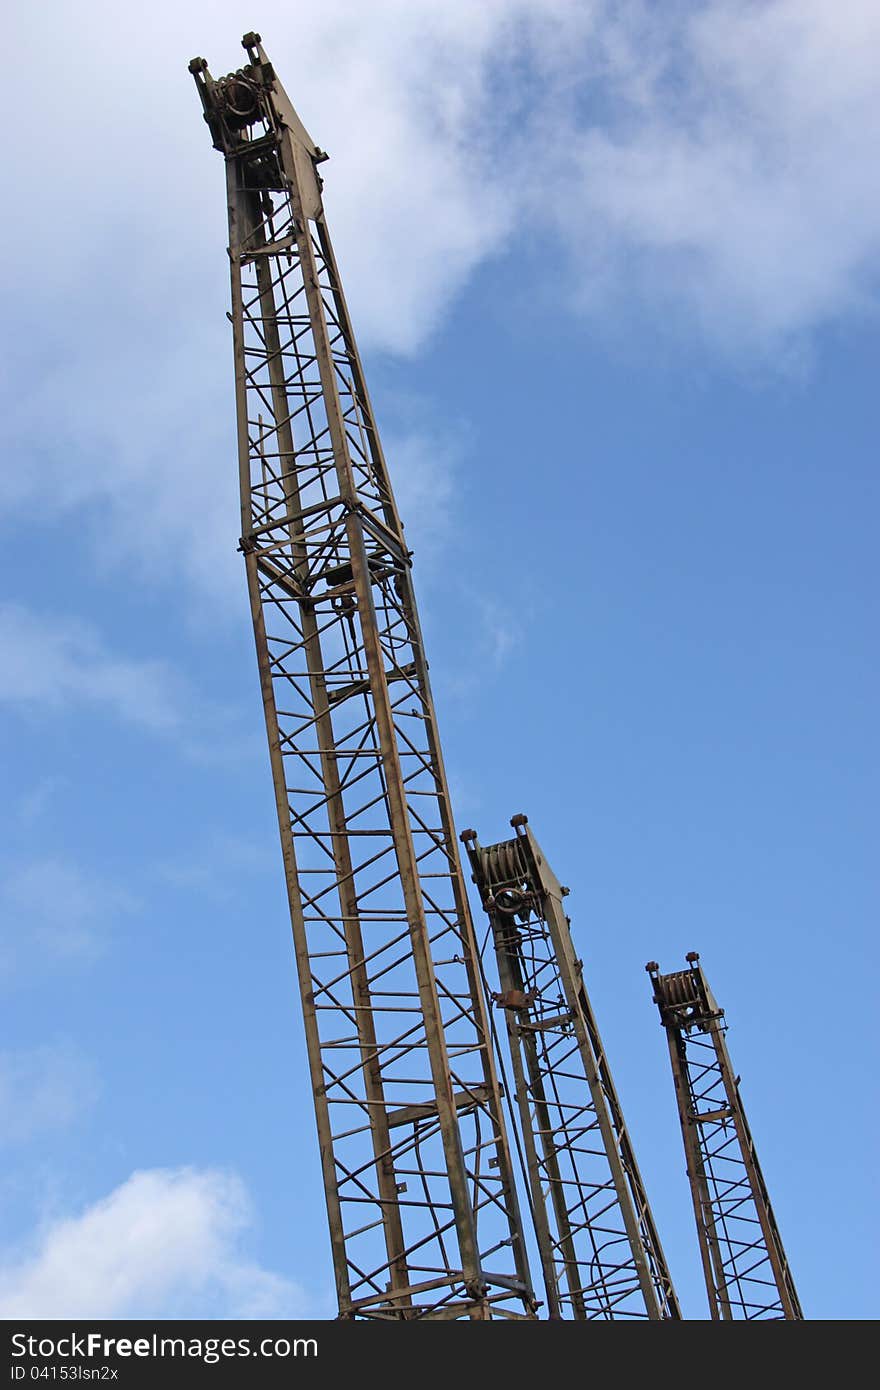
600 1250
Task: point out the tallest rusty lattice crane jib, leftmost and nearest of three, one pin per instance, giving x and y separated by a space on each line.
416 1163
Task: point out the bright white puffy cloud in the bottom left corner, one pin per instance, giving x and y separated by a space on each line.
168 1243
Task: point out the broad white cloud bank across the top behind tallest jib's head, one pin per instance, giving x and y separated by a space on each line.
707 166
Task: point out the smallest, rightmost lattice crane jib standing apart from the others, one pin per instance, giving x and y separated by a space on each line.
744 1264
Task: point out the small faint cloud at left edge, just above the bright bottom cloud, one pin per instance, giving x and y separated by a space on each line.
44 1089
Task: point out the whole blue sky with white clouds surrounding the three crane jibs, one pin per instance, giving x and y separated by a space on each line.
614 272
